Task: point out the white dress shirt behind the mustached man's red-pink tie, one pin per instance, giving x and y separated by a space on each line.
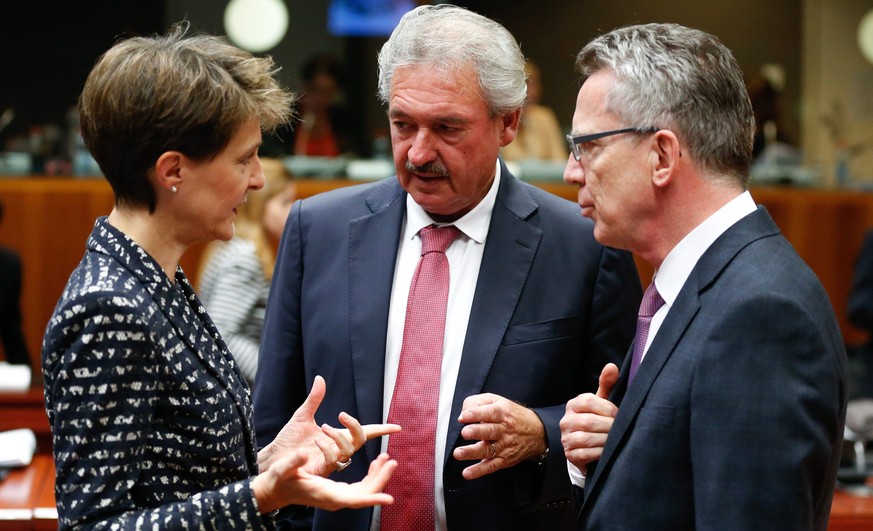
465 258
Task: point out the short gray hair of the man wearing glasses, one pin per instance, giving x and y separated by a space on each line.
680 79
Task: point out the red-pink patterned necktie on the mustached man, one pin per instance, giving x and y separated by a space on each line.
416 392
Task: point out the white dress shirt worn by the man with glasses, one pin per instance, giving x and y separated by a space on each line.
678 264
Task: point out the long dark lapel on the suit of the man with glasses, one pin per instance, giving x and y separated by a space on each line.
686 306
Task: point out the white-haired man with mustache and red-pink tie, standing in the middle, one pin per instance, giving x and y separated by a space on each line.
531 305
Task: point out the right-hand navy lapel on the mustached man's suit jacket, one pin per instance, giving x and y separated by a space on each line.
510 248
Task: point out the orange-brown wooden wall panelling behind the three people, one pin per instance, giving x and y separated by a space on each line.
47 221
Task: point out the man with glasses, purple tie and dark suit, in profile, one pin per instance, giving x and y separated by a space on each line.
729 410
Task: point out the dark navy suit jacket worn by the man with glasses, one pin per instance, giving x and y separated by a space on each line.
735 418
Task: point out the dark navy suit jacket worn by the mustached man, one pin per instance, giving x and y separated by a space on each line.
551 307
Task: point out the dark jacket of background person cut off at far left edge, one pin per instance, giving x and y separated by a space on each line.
10 308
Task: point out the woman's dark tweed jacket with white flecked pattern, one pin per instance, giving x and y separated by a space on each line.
150 417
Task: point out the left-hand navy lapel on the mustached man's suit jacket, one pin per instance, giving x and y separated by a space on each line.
373 242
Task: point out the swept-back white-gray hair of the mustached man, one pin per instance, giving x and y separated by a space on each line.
451 38
